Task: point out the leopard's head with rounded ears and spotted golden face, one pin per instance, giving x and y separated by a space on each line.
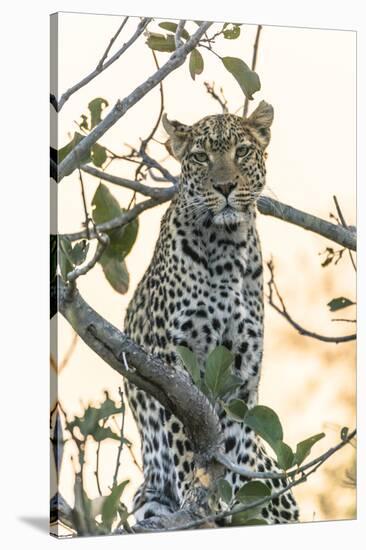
222 157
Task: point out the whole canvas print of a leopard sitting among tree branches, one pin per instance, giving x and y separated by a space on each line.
203 275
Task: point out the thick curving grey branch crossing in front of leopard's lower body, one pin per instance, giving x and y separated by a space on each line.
172 388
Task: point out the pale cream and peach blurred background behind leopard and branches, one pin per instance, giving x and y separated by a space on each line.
309 77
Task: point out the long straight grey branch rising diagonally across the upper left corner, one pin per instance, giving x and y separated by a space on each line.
176 60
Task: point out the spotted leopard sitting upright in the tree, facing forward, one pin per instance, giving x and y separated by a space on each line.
204 288
